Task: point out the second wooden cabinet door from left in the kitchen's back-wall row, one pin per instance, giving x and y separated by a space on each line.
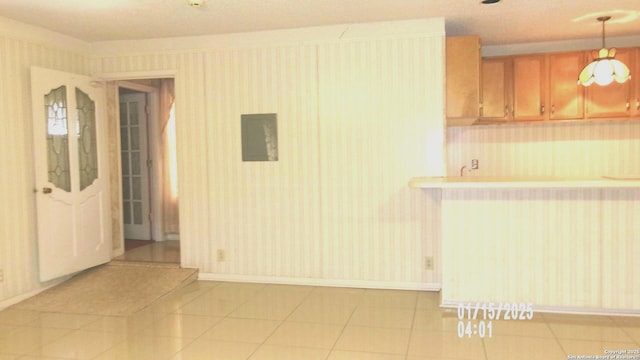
529 87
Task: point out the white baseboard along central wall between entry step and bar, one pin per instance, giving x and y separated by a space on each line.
367 284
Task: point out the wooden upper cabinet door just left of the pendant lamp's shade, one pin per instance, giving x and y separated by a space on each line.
566 96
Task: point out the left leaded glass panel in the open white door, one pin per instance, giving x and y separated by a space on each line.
55 104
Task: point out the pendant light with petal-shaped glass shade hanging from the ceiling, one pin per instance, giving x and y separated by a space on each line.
604 68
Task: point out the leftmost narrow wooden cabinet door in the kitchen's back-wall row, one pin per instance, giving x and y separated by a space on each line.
496 89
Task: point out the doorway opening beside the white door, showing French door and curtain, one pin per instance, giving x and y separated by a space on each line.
147 170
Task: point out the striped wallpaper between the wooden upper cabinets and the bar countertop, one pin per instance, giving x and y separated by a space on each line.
564 149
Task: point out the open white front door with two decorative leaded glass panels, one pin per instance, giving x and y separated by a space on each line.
71 173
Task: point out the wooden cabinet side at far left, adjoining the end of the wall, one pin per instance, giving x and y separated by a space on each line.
463 79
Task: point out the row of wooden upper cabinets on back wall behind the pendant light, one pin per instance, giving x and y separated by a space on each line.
544 87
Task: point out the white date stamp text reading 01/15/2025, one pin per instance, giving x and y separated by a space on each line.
492 311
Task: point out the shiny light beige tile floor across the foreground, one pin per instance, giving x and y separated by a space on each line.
214 320
